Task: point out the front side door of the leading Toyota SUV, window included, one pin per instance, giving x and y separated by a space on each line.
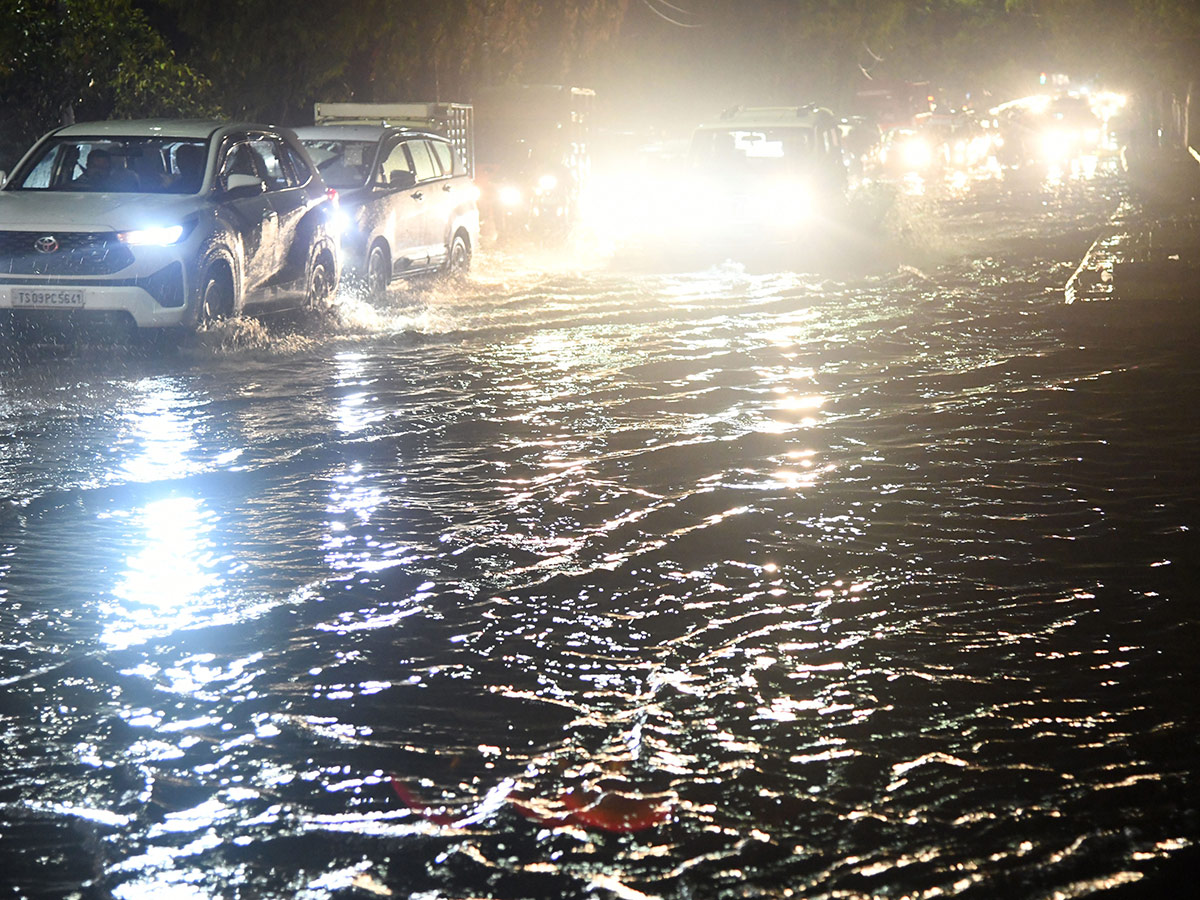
249 214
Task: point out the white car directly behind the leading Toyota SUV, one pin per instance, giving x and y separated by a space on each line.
409 206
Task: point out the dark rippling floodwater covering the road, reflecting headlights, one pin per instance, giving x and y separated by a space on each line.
595 580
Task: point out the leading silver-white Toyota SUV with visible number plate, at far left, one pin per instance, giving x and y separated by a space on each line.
164 224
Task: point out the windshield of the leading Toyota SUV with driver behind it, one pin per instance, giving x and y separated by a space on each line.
117 165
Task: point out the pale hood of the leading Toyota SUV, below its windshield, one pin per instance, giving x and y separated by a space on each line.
35 211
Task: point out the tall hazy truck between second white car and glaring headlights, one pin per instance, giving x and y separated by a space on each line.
535 158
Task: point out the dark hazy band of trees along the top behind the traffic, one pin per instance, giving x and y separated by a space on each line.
261 59
